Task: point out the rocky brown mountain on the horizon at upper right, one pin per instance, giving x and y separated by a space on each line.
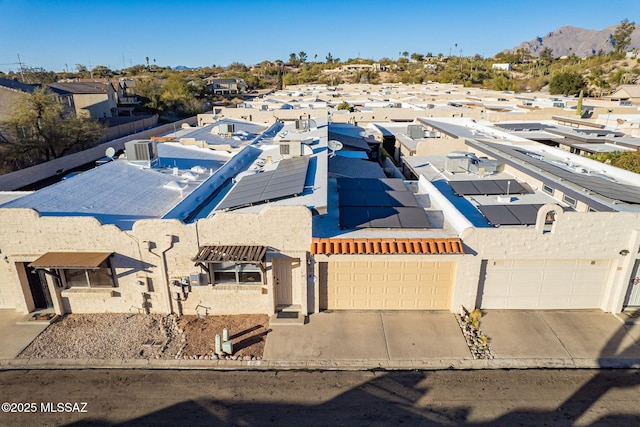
569 40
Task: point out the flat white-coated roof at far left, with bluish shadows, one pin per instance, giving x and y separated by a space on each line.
121 193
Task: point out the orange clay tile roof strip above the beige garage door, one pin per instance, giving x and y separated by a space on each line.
427 246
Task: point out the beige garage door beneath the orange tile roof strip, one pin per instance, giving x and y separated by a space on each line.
387 285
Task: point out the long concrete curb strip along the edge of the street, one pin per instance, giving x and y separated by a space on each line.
333 365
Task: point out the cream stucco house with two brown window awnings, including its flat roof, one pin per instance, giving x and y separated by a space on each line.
165 216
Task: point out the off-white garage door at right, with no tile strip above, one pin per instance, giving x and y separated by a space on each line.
545 284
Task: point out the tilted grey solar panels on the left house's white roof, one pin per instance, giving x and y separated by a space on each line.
286 180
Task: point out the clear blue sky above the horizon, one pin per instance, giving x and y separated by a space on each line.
60 34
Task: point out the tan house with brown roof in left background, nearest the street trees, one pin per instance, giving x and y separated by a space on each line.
92 99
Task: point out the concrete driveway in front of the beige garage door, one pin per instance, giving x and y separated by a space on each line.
369 335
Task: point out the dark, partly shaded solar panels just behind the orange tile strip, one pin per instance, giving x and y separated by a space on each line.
378 203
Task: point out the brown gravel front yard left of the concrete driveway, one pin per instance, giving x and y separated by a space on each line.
153 336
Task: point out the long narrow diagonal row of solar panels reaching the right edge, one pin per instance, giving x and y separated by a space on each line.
604 187
